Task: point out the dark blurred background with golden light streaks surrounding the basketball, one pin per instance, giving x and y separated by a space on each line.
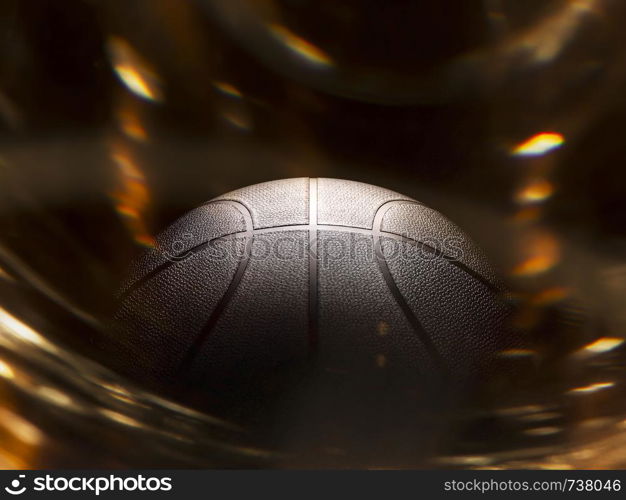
117 117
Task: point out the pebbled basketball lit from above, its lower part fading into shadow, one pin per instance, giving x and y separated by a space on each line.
361 281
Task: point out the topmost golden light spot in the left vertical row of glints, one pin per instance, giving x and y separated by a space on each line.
133 71
